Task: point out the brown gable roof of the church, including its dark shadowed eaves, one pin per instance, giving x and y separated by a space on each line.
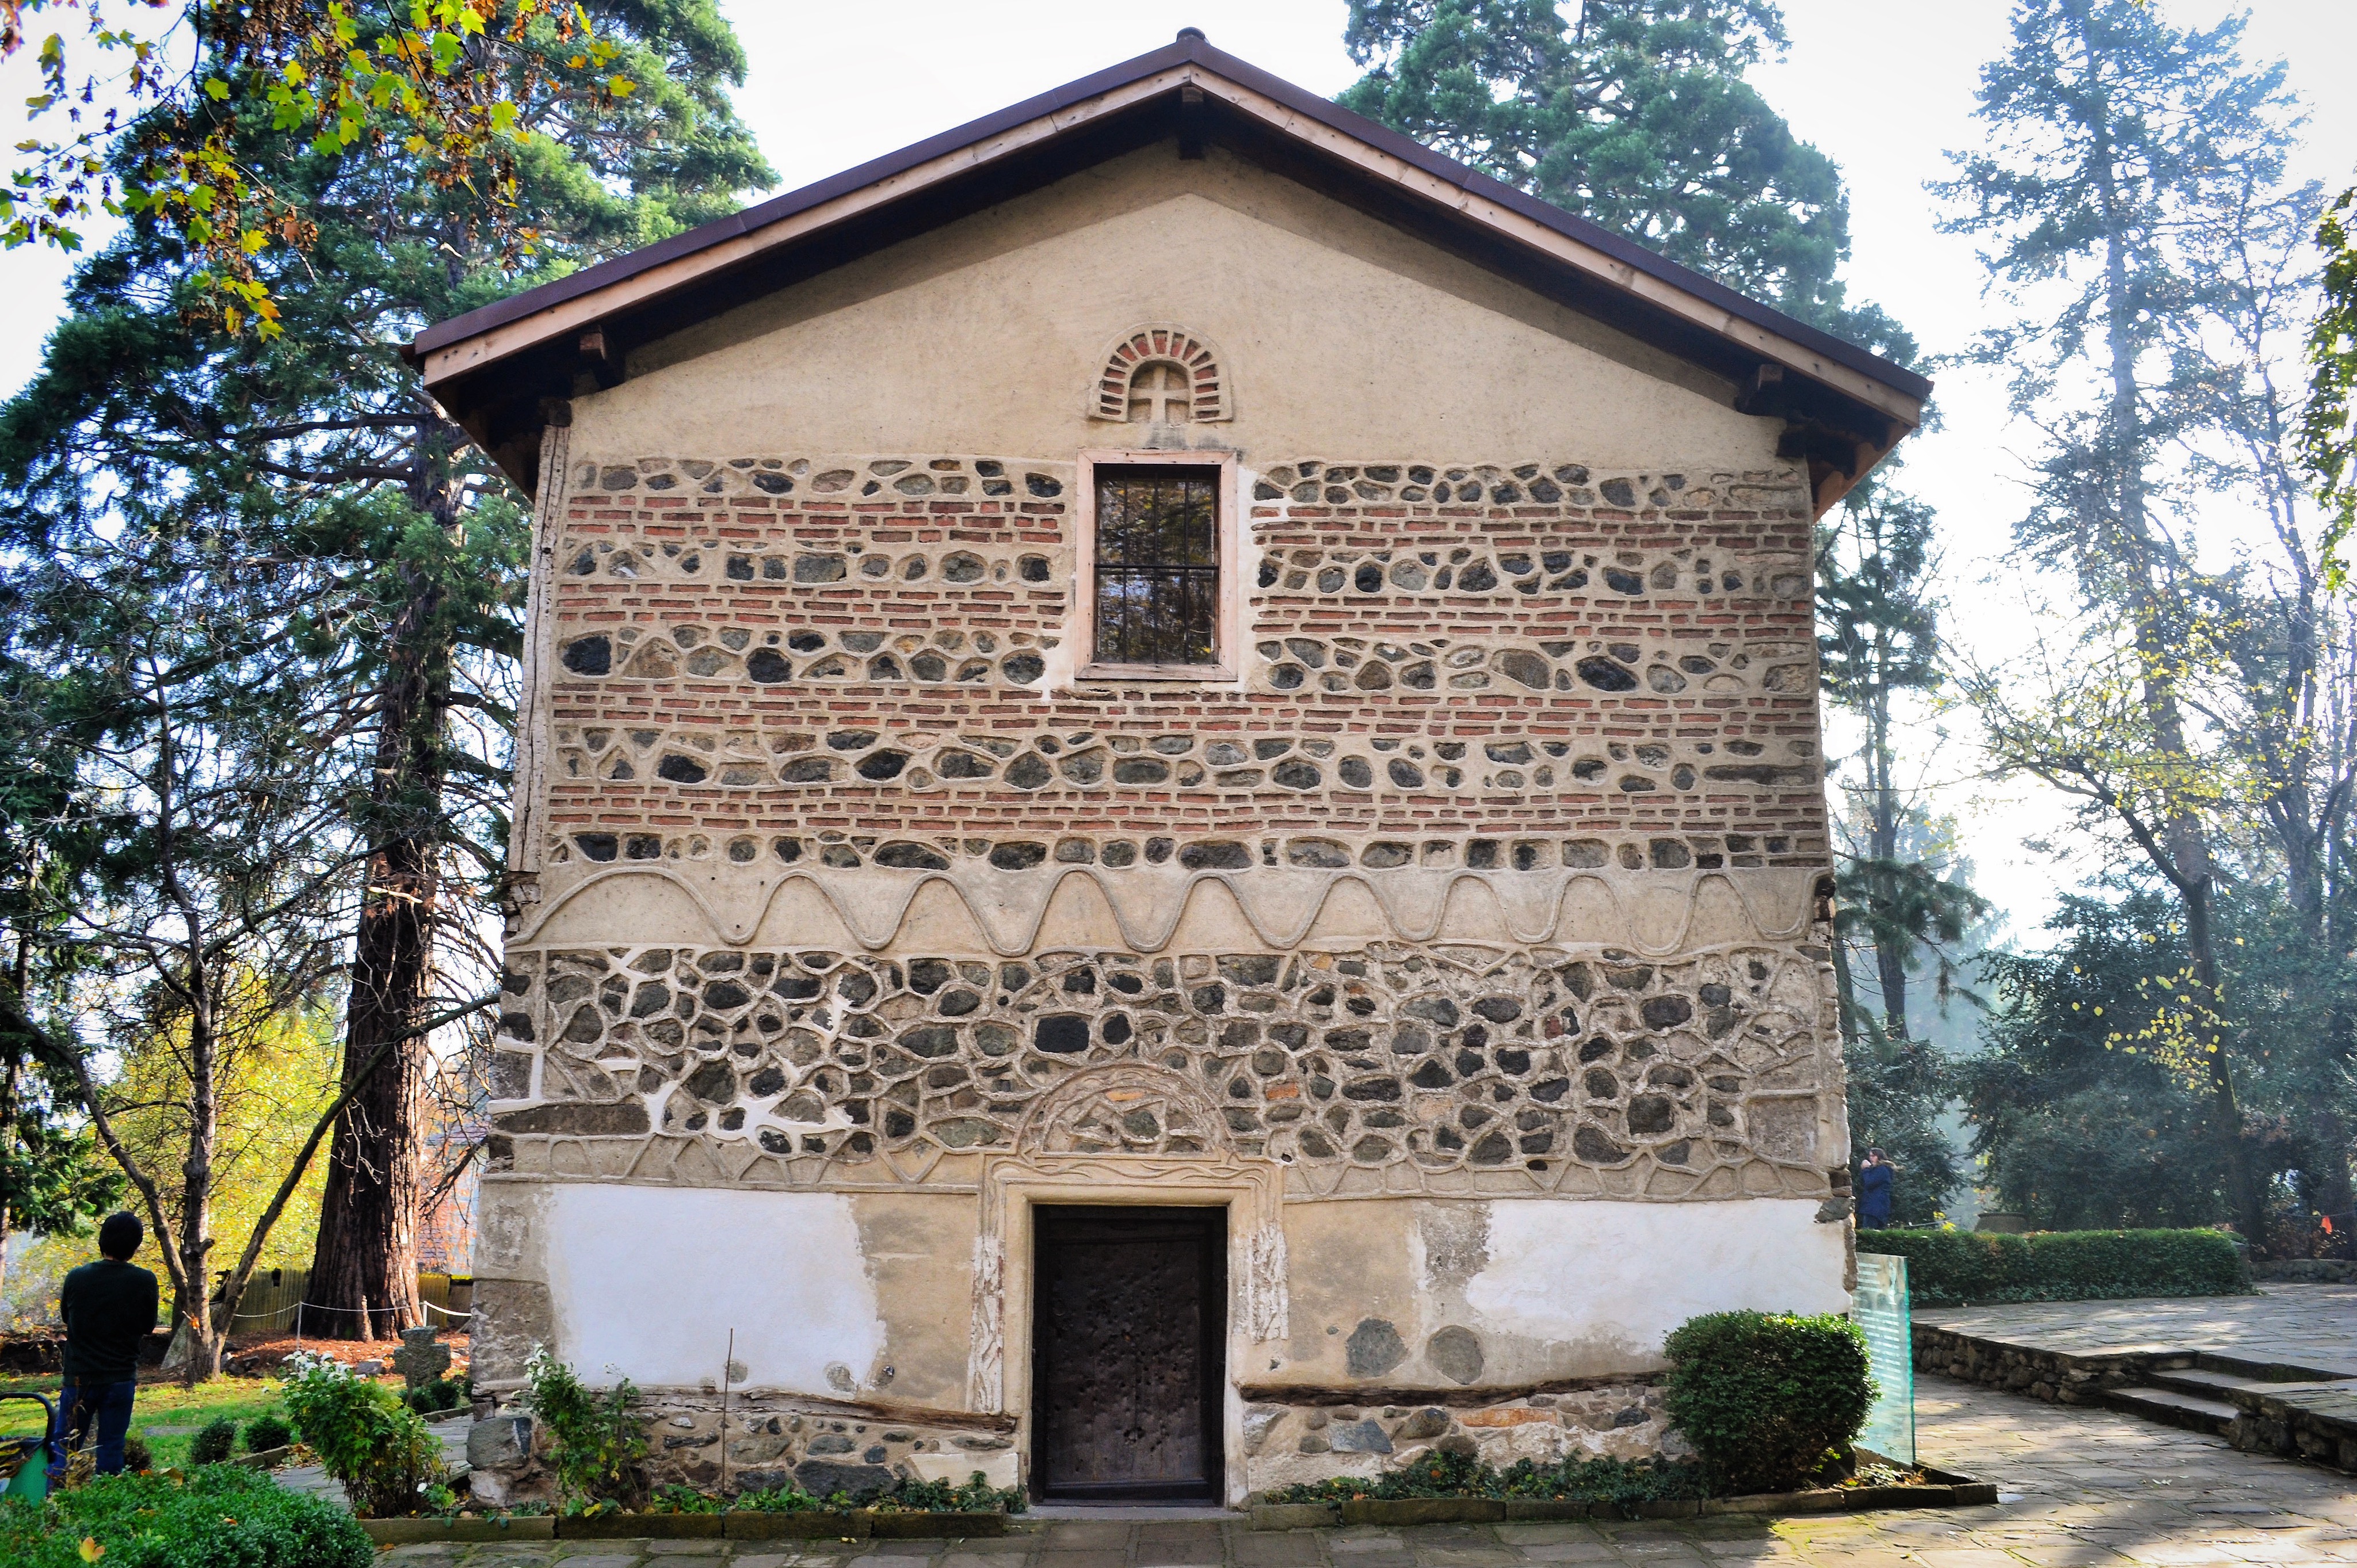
503 369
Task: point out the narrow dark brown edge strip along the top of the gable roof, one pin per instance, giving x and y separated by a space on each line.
1184 51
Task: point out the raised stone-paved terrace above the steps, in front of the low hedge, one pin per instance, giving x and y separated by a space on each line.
2311 1326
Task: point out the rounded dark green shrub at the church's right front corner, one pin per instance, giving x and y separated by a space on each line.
1767 1397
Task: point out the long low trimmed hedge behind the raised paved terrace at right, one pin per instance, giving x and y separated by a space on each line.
1969 1270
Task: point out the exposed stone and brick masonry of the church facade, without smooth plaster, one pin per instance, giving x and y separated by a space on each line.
1493 874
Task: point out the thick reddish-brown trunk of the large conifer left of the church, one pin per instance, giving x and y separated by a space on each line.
364 1270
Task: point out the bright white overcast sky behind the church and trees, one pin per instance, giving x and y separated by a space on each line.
1887 91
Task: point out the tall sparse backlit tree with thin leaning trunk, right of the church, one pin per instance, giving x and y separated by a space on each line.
2113 136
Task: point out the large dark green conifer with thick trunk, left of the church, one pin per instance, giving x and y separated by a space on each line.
395 548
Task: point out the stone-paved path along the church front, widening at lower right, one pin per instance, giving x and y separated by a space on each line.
2082 1489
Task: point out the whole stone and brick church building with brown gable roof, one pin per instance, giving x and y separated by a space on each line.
1170 817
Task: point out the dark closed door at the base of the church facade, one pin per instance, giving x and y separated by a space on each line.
1130 1319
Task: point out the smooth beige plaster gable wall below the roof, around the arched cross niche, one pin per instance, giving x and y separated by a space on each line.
1340 336
